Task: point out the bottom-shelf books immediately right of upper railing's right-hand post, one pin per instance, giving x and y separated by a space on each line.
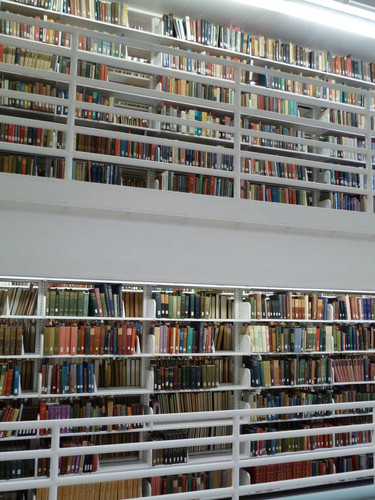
263 192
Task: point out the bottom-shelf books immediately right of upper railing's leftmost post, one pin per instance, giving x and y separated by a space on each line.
107 173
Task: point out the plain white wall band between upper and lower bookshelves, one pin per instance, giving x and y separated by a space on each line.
79 230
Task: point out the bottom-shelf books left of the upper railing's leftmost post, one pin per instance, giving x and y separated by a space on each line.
40 166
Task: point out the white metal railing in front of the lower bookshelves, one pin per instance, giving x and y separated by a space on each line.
236 459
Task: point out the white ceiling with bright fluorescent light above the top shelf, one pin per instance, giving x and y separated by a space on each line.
257 20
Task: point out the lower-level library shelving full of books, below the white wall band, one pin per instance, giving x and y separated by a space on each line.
180 375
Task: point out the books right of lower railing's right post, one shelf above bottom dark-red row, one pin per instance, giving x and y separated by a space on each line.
304 443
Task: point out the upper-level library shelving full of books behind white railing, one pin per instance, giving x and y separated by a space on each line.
147 106
